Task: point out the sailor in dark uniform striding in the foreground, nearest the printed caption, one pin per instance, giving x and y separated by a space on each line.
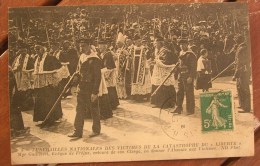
90 78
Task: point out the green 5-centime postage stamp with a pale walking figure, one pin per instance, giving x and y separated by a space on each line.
217 111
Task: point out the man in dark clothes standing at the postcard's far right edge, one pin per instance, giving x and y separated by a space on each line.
242 74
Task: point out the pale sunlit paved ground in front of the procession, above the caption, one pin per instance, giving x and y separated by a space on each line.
131 124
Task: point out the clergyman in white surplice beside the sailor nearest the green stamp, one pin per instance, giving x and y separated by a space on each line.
164 63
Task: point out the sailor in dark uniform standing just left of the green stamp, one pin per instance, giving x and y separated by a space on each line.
185 75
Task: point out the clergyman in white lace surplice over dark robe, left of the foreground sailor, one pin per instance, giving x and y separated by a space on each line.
46 81
